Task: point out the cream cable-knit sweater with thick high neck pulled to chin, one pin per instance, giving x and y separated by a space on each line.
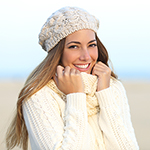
80 121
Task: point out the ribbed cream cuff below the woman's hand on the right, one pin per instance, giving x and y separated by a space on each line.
106 97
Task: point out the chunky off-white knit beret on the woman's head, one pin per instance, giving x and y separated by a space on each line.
64 22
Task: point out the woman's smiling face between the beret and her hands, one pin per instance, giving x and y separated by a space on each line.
80 51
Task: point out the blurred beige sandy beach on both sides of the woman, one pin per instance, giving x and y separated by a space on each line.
139 99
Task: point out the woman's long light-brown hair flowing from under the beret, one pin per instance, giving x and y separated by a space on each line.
17 134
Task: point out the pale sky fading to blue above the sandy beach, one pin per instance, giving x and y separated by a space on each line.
124 30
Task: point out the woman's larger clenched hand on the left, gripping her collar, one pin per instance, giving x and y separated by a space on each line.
68 80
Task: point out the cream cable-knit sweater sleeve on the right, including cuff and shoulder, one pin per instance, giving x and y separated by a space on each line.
115 119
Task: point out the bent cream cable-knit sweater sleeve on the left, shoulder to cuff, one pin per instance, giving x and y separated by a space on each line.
47 130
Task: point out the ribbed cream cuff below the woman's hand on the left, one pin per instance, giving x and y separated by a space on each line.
77 100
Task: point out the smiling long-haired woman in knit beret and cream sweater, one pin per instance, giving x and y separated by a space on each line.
72 100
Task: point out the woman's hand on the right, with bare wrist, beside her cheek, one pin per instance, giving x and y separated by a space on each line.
104 73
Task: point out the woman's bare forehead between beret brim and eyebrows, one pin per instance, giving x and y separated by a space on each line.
82 35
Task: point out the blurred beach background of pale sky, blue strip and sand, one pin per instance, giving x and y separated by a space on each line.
124 30
